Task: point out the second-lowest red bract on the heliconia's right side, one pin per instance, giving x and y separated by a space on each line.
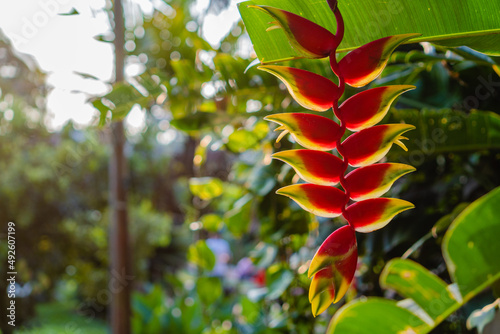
374 180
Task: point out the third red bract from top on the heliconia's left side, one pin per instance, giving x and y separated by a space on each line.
311 131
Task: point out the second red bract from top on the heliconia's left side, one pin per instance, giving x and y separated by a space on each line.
310 90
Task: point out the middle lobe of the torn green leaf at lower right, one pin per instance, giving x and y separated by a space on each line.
411 280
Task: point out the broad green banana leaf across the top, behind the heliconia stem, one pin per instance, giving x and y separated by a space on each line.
472 23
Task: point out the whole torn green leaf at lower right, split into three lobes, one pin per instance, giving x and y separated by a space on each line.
469 251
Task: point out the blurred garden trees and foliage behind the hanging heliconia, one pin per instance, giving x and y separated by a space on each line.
213 248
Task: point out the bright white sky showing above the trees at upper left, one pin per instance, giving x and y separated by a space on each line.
63 45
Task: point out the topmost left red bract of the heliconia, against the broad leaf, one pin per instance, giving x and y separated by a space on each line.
308 38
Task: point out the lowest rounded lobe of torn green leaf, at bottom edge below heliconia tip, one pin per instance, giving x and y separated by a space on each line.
375 316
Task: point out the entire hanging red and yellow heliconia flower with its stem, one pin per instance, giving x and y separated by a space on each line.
332 268
